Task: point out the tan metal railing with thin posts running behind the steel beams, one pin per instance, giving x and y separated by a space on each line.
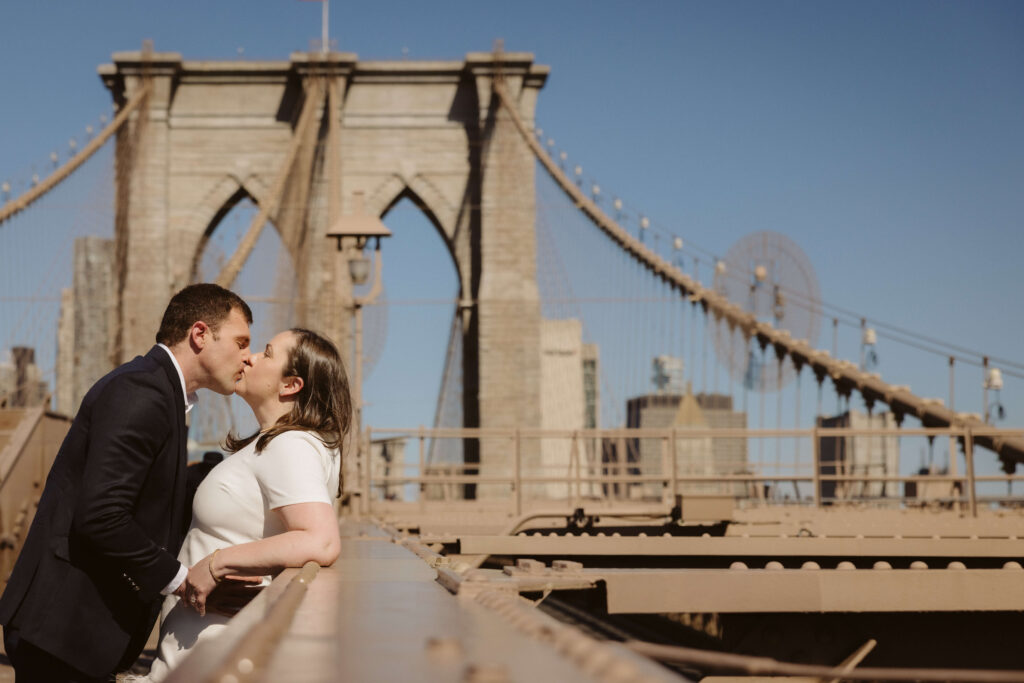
526 466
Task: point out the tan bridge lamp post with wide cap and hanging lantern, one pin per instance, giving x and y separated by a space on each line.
352 234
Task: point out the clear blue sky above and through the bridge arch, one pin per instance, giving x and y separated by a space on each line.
885 139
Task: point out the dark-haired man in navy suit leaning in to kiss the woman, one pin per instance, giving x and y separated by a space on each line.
102 551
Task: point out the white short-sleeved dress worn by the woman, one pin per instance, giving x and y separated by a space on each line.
234 506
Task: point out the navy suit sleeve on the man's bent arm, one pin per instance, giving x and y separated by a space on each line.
132 424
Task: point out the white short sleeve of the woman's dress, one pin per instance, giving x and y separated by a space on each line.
295 467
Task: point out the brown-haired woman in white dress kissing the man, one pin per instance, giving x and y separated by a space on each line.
269 505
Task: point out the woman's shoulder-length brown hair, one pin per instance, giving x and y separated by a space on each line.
323 406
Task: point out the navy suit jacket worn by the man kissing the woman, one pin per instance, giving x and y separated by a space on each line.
106 536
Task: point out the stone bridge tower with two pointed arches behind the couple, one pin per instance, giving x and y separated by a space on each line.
215 133
